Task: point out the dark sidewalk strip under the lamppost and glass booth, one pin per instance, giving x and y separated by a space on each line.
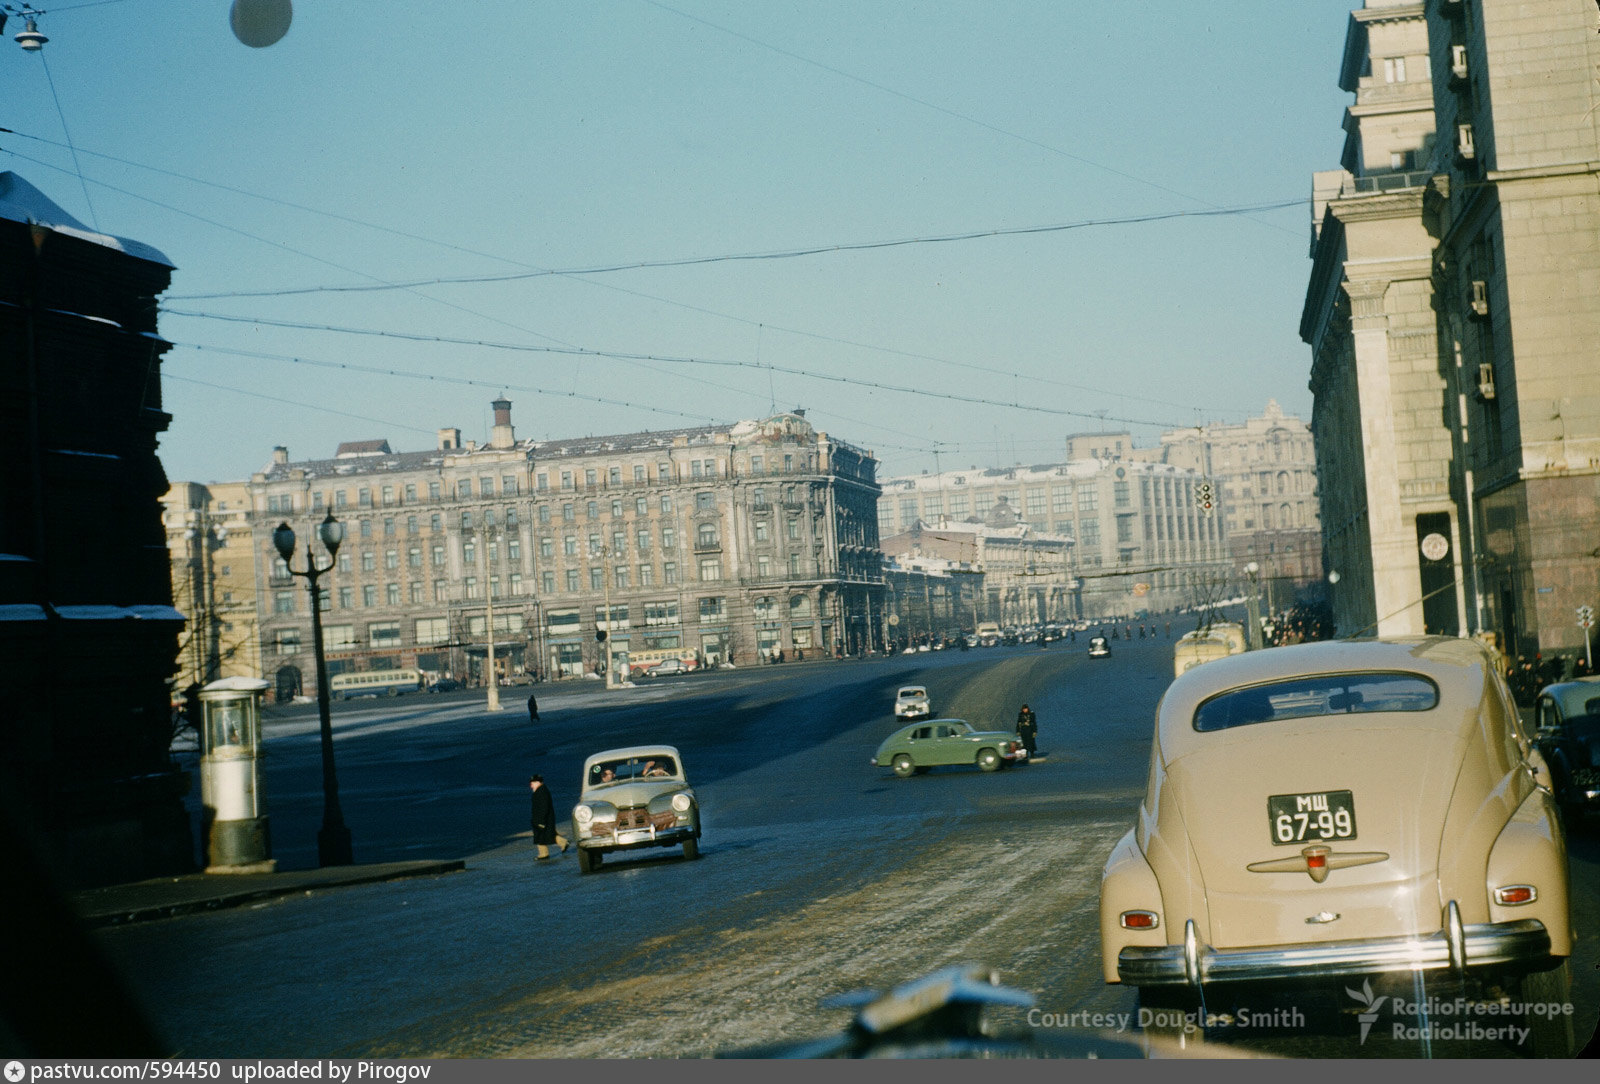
191 893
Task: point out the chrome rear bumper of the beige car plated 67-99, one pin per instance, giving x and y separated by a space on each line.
1455 947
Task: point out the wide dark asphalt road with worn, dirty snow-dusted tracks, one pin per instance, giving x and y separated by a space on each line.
820 875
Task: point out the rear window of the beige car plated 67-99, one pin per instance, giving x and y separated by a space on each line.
1314 696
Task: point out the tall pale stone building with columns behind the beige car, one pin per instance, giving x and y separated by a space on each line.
1454 314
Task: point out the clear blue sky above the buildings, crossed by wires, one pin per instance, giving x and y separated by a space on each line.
394 143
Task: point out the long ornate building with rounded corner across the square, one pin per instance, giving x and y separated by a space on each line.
713 543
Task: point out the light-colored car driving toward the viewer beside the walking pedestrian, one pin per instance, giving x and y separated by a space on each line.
636 797
